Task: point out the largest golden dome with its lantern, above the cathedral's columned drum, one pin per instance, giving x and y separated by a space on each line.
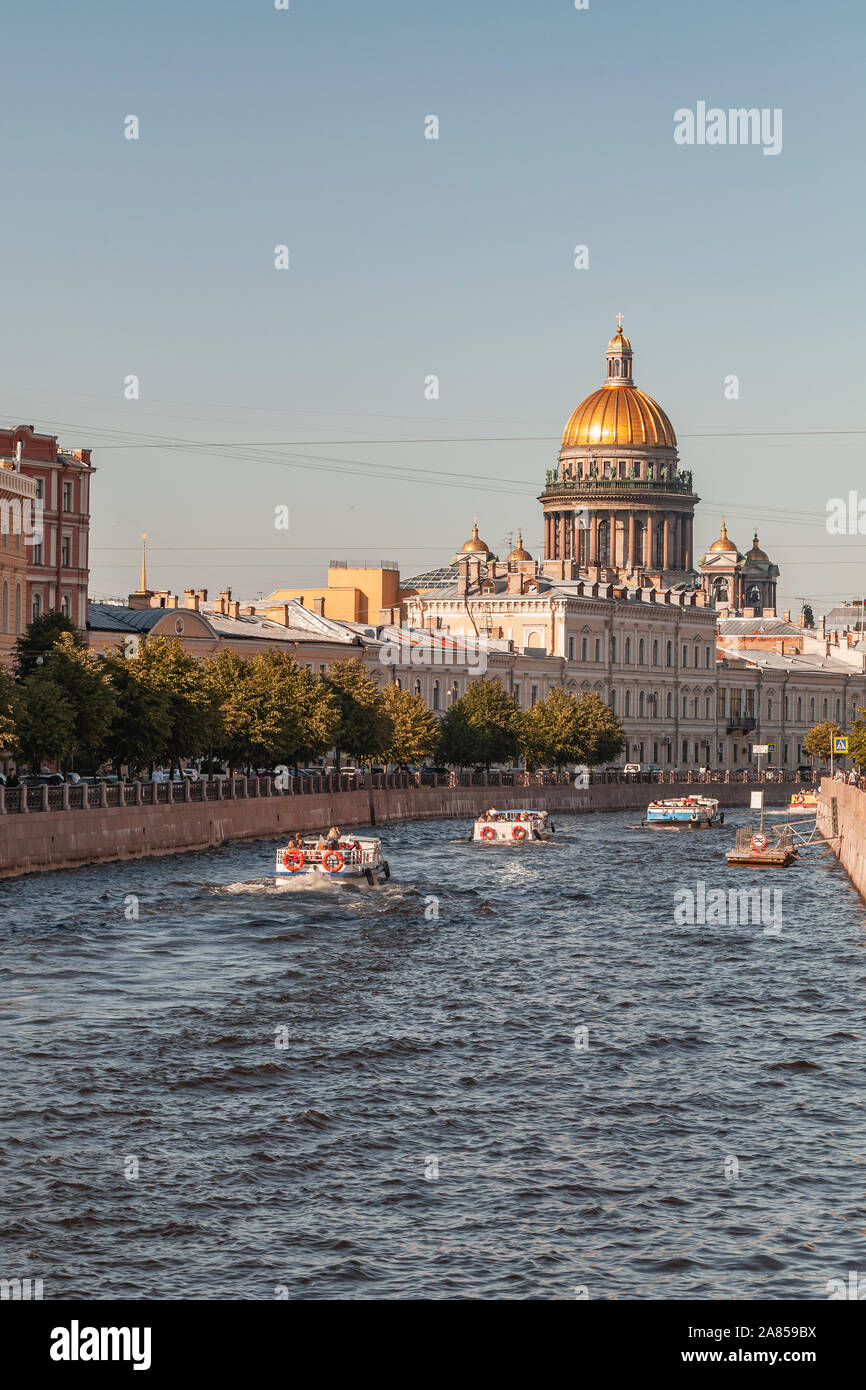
618 414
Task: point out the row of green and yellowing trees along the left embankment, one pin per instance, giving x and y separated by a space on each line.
163 707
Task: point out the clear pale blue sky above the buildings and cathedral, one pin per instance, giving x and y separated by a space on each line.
412 256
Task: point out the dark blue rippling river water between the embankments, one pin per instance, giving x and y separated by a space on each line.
258 1092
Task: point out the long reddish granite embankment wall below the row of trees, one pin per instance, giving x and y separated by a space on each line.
67 839
